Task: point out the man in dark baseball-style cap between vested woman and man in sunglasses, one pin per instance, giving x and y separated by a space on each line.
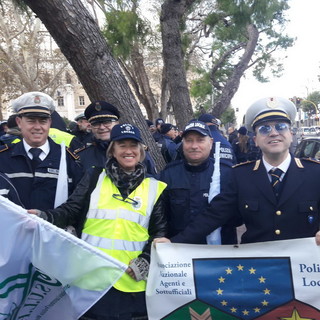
191 180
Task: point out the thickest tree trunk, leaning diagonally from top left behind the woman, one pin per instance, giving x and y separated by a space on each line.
80 40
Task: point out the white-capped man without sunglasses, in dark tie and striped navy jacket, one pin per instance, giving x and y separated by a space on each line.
33 164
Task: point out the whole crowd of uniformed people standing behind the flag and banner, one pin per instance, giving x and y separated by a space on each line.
99 182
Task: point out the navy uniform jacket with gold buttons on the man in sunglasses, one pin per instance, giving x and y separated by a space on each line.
250 196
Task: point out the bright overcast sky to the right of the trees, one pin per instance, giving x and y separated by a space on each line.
301 65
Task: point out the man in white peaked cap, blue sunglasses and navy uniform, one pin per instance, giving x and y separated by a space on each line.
276 197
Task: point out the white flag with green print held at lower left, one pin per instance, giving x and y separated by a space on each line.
46 273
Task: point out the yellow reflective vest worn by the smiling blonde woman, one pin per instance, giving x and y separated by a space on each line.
120 228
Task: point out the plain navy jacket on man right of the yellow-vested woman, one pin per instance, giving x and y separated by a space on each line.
186 195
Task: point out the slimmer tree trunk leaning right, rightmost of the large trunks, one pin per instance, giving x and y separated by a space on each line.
233 82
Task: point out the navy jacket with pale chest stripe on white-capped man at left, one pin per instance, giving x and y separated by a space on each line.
37 191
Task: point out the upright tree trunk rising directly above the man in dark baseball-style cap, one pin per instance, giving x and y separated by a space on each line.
172 12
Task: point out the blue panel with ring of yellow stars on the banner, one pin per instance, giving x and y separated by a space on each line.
244 287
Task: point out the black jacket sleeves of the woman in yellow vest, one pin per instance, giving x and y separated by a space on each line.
73 212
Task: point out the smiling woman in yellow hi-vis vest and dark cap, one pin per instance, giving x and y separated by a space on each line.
122 213
